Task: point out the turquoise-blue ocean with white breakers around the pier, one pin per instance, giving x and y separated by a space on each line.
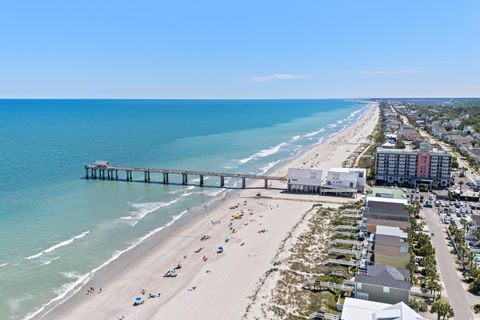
57 228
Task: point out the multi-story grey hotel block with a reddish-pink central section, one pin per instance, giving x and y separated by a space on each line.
405 167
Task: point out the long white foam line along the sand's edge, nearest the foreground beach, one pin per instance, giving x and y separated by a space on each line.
74 287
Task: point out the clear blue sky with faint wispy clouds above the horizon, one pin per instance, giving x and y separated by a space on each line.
239 49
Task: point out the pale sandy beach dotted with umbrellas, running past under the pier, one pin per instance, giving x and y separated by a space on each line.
212 285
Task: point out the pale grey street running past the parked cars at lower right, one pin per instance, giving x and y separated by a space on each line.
455 291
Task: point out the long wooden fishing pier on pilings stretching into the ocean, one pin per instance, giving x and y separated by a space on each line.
105 171
